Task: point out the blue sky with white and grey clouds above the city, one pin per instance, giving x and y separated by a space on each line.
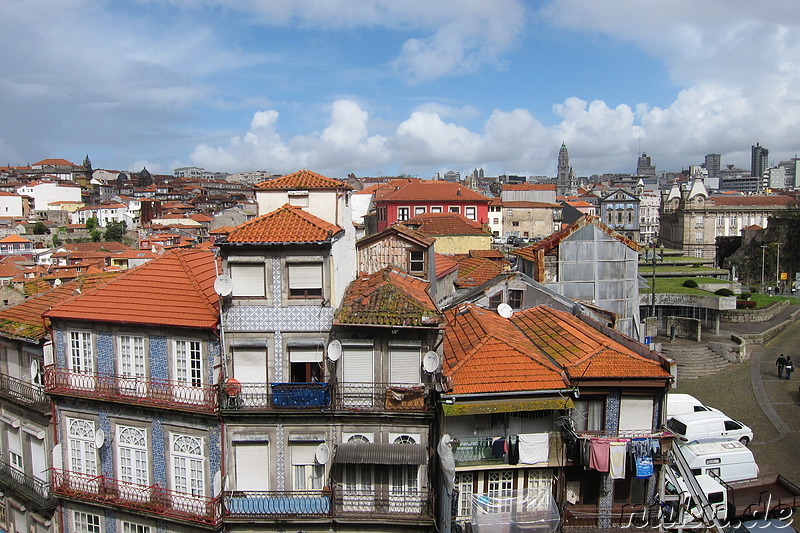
384 87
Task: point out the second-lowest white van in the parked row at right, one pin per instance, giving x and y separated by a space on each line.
725 460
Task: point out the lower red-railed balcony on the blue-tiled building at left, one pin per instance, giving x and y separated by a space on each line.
153 499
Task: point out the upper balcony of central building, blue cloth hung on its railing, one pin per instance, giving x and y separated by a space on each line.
327 397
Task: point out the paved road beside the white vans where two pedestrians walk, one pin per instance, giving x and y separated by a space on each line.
752 393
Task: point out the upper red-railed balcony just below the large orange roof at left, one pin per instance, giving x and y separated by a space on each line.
149 392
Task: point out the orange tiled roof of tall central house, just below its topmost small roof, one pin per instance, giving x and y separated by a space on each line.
287 224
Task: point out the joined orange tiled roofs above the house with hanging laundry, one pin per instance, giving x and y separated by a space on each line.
536 349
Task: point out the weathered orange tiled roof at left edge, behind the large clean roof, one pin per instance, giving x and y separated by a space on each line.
24 320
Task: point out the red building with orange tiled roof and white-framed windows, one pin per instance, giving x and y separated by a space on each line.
402 199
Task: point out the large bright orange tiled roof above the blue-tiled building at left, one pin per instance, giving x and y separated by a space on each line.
175 290
